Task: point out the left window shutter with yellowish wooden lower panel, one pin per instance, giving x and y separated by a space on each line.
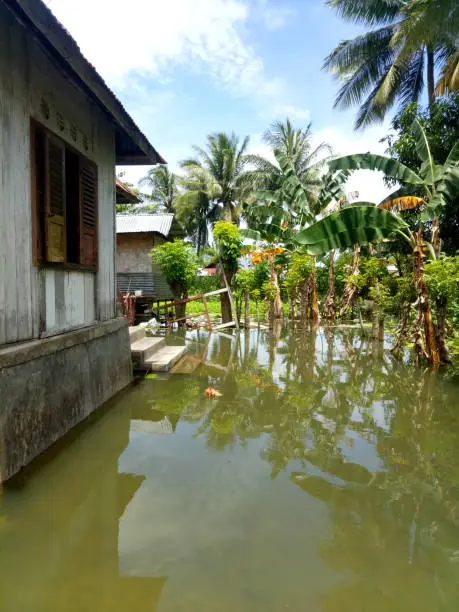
55 232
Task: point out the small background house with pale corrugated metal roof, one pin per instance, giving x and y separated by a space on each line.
136 235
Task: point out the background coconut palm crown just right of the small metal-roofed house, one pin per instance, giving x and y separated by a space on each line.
224 160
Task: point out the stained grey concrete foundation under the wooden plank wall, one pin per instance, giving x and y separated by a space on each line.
49 386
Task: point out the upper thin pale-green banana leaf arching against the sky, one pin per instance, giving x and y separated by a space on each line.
370 161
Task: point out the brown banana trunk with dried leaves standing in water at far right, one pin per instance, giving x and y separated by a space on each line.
424 312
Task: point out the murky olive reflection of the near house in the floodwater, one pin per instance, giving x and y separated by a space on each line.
60 543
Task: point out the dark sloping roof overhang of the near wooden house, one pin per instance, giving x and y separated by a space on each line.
131 145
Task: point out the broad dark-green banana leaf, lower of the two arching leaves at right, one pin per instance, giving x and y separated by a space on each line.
360 224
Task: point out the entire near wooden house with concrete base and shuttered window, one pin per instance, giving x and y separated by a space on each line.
63 349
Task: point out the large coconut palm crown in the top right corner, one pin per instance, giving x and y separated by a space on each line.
406 43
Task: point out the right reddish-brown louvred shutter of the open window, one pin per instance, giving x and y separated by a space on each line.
88 213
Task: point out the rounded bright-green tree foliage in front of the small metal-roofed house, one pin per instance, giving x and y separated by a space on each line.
178 263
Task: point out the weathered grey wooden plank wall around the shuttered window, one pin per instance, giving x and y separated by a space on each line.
32 86
